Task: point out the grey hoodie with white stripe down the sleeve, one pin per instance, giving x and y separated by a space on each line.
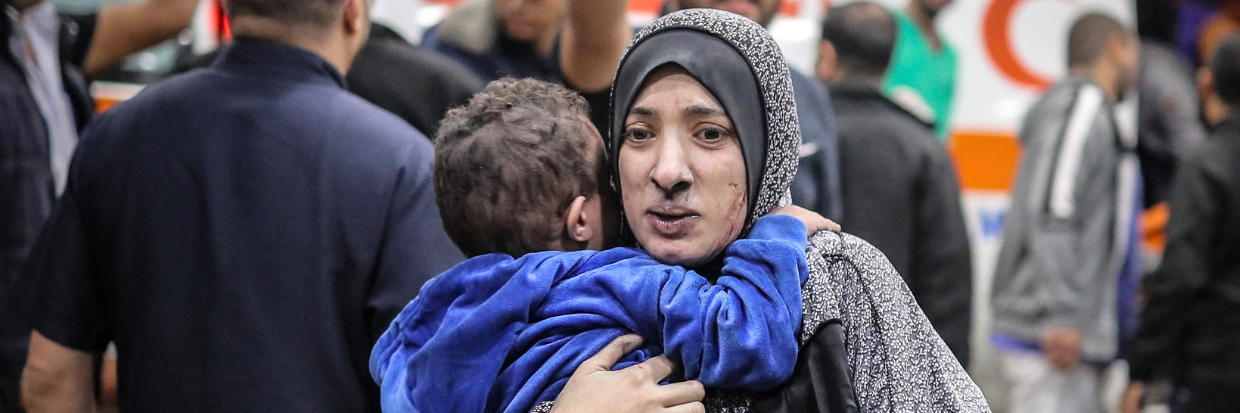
1067 235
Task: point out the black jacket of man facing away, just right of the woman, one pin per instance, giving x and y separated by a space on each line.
901 194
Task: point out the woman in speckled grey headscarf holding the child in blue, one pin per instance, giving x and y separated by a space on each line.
705 137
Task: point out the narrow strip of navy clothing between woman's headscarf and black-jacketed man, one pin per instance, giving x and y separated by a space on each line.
817 185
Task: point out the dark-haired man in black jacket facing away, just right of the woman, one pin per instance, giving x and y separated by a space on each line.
898 184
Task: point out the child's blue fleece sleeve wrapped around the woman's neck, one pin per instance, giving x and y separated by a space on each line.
741 332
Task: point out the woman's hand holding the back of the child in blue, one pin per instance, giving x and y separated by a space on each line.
595 388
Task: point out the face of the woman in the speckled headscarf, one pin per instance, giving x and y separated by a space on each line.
683 175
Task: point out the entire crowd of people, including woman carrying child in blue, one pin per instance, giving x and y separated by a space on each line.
540 209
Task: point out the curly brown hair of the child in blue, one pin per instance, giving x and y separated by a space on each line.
510 163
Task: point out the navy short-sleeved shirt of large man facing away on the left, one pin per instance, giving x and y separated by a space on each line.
244 234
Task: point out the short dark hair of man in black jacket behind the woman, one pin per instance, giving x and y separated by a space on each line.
864 35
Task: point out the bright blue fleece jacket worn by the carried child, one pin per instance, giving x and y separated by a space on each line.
498 334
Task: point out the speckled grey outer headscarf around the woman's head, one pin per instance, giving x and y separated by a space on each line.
740 63
